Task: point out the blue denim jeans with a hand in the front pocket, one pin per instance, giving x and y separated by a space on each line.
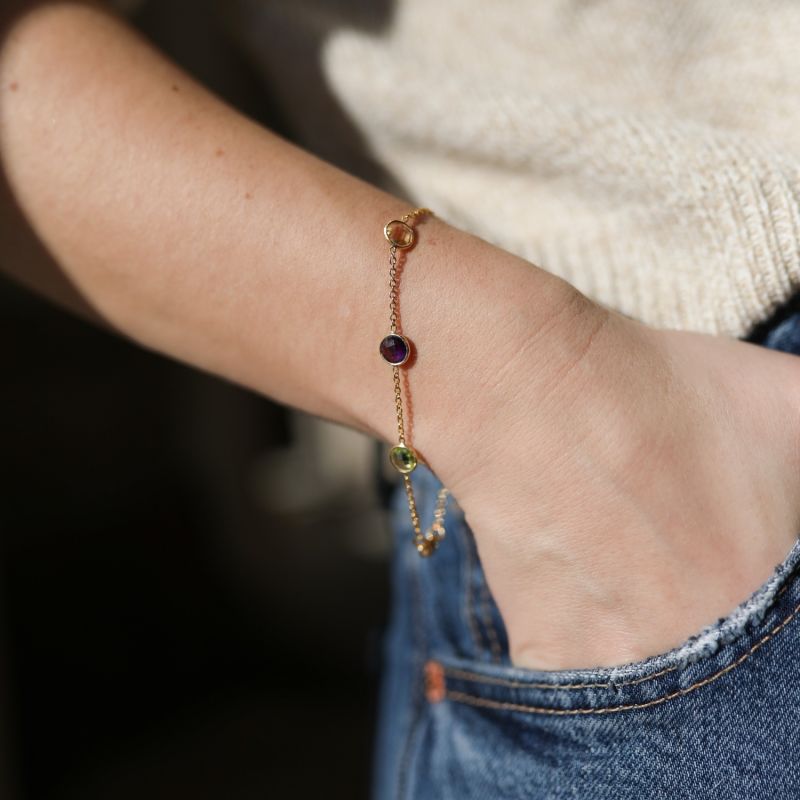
718 717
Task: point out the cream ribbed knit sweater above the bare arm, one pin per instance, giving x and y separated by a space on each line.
648 152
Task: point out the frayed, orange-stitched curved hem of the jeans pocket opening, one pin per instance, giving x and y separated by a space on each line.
705 657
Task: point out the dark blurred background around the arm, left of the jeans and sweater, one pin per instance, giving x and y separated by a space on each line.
193 578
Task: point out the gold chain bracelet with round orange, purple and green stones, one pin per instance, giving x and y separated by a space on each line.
395 349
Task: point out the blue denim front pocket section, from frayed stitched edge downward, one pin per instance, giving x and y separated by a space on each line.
716 718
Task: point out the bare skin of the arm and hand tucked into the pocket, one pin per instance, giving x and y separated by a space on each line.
626 486
